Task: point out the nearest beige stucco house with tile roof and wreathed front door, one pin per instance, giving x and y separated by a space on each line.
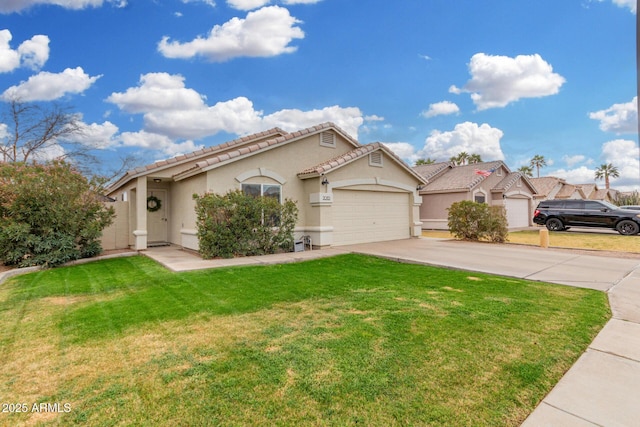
346 192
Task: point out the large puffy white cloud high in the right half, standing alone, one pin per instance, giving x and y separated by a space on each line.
497 81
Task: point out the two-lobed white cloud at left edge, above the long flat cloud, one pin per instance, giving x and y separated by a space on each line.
31 53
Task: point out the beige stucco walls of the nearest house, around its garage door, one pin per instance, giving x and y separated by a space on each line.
278 165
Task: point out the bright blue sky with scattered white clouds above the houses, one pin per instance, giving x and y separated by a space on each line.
506 79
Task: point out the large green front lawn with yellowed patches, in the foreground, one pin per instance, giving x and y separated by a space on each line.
348 340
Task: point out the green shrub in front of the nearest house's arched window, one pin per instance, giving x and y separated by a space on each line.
236 224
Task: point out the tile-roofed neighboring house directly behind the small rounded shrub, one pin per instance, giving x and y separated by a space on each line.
489 182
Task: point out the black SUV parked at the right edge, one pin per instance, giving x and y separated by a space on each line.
557 215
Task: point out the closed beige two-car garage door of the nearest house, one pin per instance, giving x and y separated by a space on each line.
369 216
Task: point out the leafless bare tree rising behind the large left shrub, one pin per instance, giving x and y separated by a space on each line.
35 130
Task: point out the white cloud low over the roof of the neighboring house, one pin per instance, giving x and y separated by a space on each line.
468 137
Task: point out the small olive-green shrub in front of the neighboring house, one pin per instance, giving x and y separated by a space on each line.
469 220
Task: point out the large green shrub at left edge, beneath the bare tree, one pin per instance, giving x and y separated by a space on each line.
49 214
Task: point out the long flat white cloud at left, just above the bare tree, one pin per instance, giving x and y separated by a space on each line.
46 86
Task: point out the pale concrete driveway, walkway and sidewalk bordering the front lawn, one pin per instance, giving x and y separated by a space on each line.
601 389
